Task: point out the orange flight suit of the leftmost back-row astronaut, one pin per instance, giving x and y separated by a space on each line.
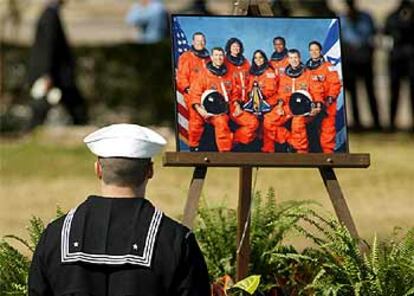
189 67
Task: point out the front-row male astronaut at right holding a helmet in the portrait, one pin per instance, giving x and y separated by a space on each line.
297 77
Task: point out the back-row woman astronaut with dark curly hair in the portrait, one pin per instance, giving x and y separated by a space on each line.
238 67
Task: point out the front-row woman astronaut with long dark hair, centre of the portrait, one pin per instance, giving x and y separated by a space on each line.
263 75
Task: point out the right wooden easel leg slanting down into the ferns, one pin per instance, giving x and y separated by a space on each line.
338 200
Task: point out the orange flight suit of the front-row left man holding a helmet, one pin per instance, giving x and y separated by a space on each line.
225 85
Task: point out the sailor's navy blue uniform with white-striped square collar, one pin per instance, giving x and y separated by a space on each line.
117 246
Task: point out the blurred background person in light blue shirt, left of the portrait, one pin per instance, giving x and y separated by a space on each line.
151 18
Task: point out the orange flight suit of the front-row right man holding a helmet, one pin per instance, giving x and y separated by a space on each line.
287 85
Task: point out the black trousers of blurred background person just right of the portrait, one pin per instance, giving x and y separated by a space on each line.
354 70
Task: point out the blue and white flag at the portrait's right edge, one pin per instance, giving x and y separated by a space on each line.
332 53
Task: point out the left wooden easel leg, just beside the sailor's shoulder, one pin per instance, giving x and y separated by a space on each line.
193 196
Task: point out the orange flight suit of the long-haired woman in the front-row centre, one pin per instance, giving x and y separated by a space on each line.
273 129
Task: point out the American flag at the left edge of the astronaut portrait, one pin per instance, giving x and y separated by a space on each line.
180 45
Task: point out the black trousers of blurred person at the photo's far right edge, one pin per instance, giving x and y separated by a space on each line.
400 65
